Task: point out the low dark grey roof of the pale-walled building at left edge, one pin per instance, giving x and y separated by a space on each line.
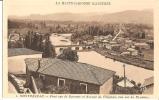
21 51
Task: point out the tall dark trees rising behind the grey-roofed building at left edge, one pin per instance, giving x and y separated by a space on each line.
36 41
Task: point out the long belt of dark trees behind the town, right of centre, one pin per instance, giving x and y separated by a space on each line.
133 31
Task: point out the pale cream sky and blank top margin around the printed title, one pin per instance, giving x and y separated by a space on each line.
28 7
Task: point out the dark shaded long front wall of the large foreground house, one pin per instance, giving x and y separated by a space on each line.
73 85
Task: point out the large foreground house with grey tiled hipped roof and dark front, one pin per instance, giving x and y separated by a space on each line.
77 78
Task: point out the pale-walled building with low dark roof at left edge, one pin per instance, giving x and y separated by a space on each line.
16 58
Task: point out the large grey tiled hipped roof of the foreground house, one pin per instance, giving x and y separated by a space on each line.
70 70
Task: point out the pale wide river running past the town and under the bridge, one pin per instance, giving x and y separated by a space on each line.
91 57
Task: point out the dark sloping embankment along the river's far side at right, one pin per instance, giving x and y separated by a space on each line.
128 60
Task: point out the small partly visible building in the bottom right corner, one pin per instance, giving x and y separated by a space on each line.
148 86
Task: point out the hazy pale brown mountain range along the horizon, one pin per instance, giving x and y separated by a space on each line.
128 16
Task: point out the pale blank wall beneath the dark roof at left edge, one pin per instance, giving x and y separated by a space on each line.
16 64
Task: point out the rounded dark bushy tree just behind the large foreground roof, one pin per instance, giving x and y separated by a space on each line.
69 54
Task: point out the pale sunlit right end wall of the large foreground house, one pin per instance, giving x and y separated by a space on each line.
107 87
